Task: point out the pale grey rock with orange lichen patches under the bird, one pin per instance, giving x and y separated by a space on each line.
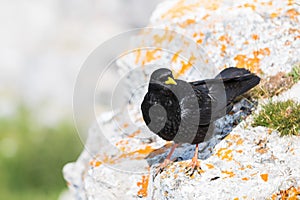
251 162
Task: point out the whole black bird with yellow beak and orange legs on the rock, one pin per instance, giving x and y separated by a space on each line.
184 112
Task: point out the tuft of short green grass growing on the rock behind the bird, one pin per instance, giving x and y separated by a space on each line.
281 116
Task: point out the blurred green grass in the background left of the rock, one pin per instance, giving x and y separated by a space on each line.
32 156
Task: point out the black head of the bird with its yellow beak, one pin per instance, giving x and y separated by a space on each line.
162 77
